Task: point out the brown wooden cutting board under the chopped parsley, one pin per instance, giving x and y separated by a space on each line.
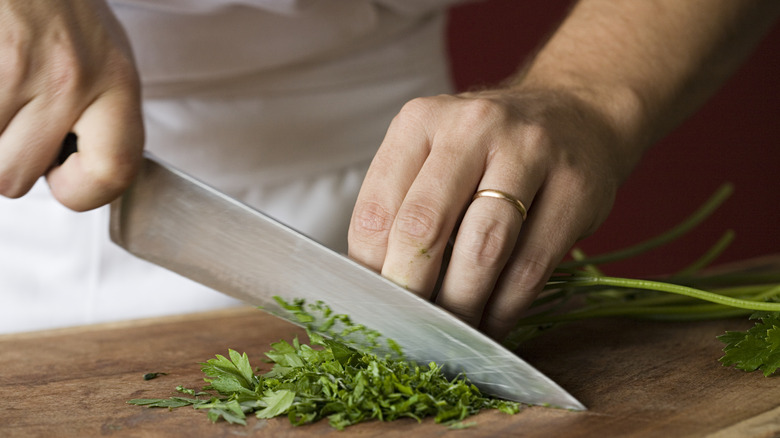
643 379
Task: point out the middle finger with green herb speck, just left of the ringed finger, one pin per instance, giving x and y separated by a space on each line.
431 208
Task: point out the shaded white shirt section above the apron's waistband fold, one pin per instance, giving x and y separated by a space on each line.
216 46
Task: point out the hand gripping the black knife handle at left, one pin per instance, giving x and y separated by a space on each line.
66 66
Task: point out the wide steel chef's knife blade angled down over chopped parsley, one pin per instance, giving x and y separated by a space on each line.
173 220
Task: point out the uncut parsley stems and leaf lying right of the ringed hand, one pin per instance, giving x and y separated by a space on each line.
580 290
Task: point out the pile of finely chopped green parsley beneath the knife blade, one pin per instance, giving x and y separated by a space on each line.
334 381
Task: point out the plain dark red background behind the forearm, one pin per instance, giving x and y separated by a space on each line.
735 137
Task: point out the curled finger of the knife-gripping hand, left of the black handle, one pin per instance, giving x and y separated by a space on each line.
30 141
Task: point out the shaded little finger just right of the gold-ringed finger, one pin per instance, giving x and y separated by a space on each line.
548 234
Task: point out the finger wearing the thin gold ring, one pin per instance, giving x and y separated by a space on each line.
487 237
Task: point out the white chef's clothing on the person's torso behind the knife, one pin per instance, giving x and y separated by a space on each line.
279 103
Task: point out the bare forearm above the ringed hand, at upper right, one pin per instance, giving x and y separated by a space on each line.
647 65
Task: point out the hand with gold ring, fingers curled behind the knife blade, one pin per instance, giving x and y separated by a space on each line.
563 159
